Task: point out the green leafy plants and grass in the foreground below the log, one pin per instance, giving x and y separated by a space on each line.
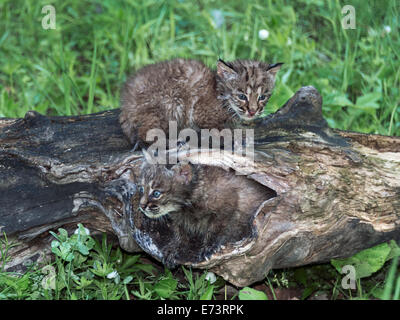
84 268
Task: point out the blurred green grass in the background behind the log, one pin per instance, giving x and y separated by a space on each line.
79 67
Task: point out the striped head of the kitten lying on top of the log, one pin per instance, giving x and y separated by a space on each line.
246 85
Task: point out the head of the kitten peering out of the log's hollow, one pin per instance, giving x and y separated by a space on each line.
163 190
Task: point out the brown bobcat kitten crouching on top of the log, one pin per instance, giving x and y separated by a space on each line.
188 92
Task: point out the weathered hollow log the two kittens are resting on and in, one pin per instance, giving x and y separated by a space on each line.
334 192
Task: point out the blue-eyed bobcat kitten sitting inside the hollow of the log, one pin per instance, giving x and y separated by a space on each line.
203 201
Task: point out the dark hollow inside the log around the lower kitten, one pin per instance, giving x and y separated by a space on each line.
171 244
